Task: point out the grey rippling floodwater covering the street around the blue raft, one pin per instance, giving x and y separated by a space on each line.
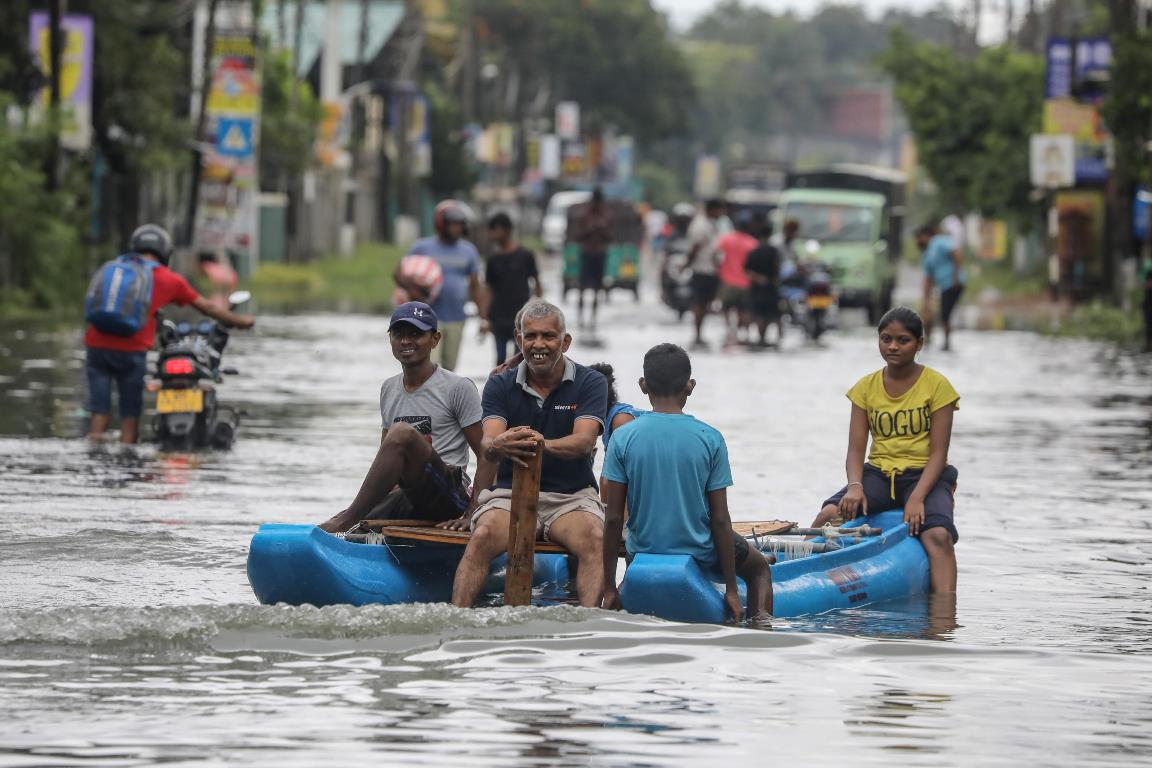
130 636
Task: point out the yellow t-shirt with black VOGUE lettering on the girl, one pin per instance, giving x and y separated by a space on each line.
900 425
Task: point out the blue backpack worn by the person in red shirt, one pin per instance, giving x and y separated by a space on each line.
120 296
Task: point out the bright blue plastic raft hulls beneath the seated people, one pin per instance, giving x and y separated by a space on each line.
299 565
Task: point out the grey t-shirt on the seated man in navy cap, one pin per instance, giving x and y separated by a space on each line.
439 410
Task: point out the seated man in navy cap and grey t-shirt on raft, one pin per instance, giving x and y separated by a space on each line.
430 417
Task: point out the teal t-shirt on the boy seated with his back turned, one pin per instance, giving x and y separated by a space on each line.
670 463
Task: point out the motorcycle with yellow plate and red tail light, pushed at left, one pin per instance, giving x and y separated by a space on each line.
190 415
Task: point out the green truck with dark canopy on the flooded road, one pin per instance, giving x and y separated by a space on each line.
857 217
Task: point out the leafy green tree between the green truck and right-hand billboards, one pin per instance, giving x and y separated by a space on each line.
972 118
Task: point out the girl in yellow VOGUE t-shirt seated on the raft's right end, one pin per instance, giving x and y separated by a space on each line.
907 409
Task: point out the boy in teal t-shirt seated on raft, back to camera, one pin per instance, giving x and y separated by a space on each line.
673 473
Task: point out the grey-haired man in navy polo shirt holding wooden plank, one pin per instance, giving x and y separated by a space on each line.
551 400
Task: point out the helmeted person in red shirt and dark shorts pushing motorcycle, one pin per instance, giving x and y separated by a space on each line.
123 360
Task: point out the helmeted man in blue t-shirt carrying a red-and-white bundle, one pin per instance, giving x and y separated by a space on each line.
461 265
